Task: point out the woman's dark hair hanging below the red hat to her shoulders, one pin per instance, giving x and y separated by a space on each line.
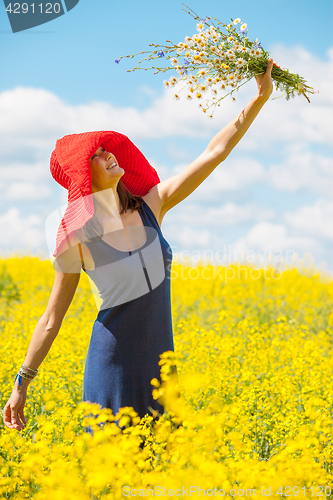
93 228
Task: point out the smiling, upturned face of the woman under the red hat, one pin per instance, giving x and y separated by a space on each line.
105 171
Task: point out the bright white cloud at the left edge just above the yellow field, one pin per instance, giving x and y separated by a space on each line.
17 231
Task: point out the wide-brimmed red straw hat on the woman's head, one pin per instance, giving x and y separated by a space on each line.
70 167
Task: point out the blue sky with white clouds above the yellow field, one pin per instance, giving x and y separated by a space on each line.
274 189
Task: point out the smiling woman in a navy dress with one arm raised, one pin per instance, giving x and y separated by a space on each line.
134 323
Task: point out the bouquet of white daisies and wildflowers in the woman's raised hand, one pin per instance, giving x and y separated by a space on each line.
218 57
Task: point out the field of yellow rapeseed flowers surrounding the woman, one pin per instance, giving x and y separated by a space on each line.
254 416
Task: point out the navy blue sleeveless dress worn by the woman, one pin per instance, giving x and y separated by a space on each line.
134 324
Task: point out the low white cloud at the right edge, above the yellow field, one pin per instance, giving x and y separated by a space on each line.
315 221
